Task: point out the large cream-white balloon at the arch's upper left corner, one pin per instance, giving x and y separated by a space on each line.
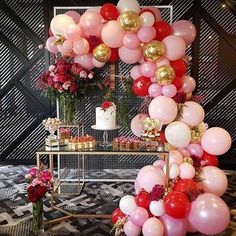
59 23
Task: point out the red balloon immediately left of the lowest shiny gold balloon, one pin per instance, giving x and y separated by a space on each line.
140 86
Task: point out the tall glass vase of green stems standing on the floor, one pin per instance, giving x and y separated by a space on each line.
37 224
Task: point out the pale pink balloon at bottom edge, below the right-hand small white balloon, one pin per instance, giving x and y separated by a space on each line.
153 227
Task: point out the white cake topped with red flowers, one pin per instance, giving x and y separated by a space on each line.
106 116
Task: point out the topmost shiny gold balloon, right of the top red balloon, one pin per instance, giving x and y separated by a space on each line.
129 21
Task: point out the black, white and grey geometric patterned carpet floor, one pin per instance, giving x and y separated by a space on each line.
103 198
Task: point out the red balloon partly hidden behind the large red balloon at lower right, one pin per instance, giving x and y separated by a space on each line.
186 186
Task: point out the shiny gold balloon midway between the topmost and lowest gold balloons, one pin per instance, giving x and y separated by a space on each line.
153 50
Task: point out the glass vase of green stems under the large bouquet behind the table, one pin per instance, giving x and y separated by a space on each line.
68 110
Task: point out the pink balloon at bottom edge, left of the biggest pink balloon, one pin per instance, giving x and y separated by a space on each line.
174 226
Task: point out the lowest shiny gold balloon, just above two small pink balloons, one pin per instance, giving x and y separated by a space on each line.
165 75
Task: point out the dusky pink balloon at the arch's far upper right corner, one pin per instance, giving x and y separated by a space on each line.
184 29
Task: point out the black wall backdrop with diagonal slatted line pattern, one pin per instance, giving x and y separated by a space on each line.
24 26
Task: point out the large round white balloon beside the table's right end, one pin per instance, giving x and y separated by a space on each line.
178 134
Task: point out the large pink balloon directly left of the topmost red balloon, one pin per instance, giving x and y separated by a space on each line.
91 23
